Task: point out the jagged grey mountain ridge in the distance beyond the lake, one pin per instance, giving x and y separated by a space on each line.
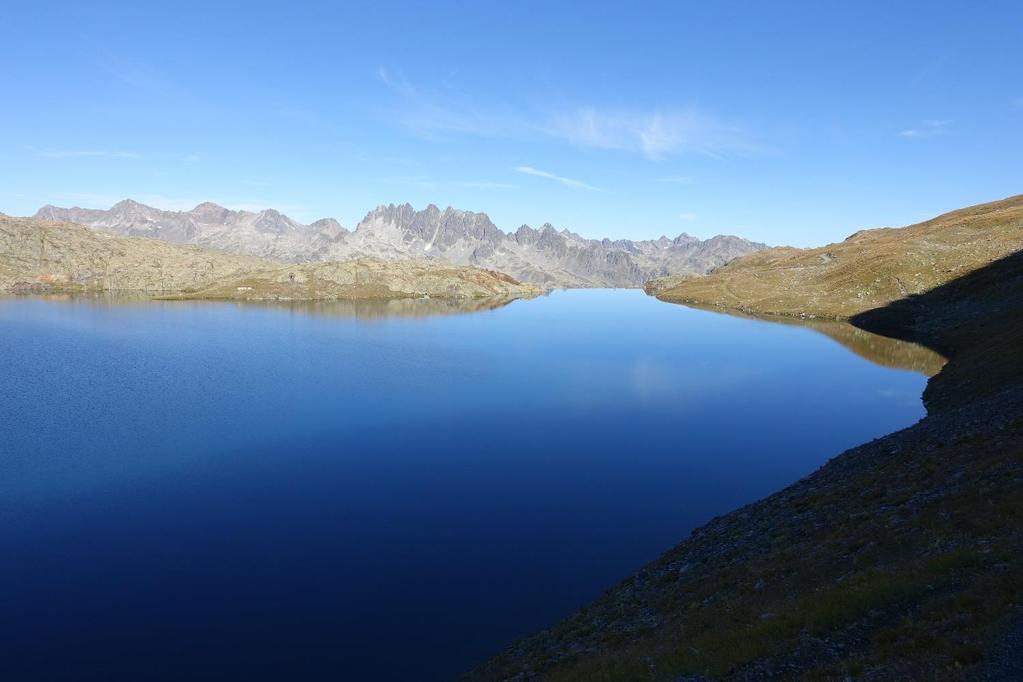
543 256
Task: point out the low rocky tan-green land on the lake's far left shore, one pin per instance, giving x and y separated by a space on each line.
45 256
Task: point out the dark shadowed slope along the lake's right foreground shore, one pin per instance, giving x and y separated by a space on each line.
902 559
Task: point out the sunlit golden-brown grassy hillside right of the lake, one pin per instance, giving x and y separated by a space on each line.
870 269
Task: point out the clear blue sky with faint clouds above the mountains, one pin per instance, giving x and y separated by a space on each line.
787 123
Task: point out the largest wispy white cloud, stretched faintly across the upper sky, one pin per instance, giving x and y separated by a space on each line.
434 114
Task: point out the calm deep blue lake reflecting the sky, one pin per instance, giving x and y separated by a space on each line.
211 491
